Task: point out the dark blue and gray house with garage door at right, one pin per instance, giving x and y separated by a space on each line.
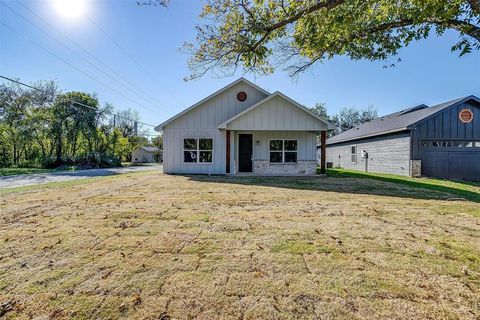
441 141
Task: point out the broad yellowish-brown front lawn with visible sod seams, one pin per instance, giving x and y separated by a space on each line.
154 246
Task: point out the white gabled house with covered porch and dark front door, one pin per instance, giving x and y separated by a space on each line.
243 129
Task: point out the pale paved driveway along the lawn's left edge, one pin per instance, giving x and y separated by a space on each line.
41 178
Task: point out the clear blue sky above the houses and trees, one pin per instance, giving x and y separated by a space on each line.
141 45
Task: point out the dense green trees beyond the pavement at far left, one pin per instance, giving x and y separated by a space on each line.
45 128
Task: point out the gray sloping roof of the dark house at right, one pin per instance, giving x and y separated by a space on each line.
395 122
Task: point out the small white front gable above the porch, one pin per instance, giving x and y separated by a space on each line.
276 112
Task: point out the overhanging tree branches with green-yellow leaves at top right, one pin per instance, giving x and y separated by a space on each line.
260 35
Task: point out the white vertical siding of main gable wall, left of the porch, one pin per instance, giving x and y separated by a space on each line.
202 122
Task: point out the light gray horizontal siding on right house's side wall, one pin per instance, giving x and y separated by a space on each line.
386 154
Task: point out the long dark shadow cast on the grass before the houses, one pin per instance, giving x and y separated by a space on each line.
357 183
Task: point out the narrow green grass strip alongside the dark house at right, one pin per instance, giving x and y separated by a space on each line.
467 190
